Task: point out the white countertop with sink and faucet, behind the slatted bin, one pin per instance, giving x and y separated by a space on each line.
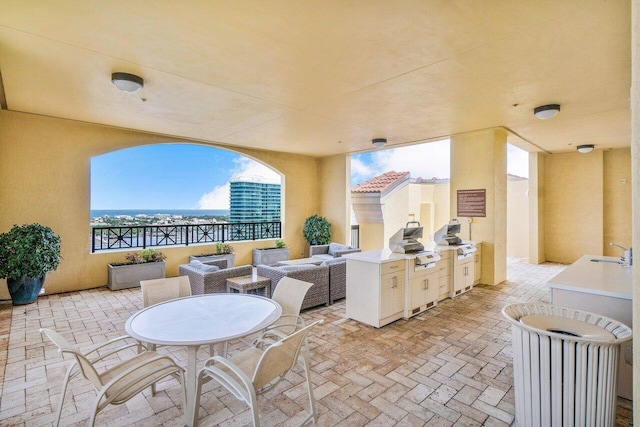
598 278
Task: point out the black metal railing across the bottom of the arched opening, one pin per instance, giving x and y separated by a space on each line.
144 236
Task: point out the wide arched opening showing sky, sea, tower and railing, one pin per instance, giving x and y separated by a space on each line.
181 194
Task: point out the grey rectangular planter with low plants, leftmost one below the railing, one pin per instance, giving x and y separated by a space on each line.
146 264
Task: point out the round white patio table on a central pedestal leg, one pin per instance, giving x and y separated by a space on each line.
201 319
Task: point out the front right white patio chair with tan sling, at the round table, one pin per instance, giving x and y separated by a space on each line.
254 371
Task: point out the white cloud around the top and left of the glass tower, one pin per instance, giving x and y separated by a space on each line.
218 198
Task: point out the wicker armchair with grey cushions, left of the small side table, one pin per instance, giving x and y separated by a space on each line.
208 282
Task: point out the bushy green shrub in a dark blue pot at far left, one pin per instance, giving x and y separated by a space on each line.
27 254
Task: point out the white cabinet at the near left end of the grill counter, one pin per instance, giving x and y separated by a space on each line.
375 288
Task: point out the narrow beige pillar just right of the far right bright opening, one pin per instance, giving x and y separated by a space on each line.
536 208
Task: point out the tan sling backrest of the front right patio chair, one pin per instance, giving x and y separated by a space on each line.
279 357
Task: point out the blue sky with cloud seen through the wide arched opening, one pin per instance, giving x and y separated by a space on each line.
168 176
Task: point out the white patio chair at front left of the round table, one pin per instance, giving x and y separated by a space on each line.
120 382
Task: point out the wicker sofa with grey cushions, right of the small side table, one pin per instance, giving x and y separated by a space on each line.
318 275
